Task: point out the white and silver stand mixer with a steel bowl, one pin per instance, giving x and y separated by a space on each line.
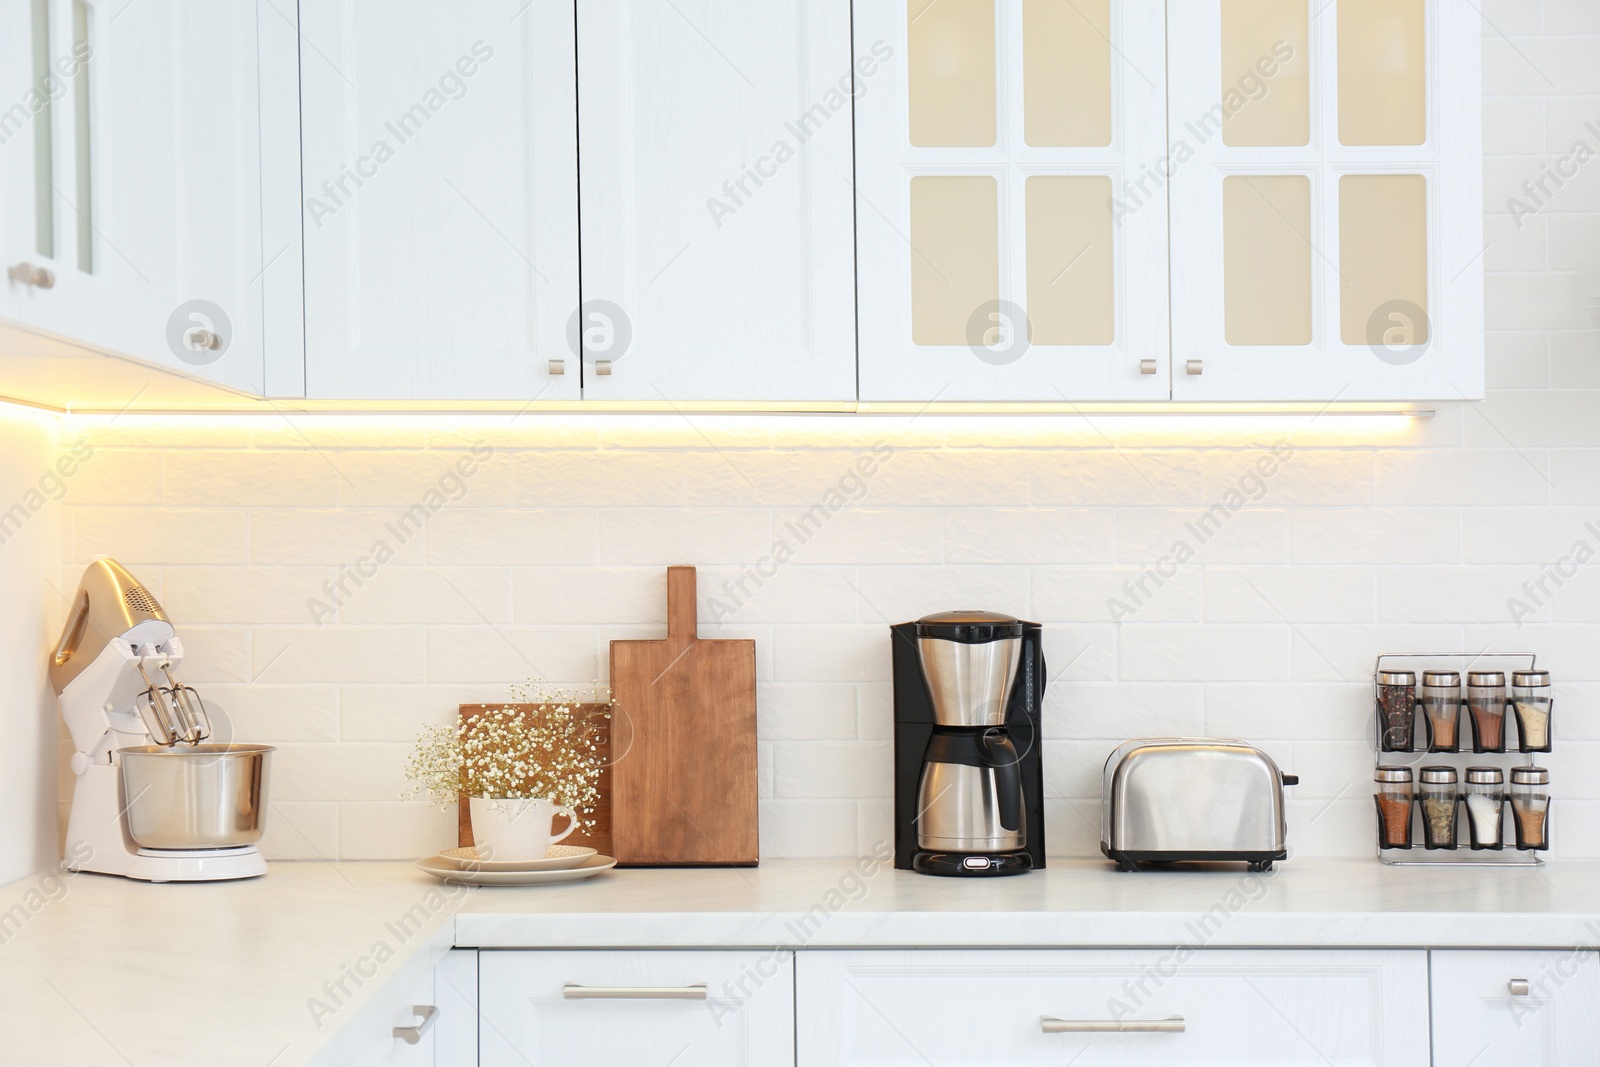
153 801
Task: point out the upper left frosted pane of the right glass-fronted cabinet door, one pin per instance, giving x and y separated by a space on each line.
1266 82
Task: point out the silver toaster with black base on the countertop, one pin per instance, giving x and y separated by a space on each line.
1175 799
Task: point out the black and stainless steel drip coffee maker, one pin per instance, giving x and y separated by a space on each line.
969 772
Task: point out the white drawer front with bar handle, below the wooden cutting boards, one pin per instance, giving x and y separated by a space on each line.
604 1009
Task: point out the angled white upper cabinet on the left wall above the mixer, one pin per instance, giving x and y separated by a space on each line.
142 185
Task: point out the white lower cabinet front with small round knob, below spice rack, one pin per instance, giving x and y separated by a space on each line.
1484 1017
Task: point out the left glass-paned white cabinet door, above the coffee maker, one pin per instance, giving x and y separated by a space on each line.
1010 201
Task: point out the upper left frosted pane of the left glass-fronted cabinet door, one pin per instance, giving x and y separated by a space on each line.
953 73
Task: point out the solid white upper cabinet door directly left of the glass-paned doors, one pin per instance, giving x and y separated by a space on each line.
718 247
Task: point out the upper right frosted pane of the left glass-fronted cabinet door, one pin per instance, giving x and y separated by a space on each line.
1066 73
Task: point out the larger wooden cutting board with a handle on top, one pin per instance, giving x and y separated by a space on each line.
684 781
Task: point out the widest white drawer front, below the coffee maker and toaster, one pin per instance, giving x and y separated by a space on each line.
975 1007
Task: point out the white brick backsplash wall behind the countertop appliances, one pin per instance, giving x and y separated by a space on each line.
1366 541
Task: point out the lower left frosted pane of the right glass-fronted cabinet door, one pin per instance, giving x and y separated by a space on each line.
1266 258
